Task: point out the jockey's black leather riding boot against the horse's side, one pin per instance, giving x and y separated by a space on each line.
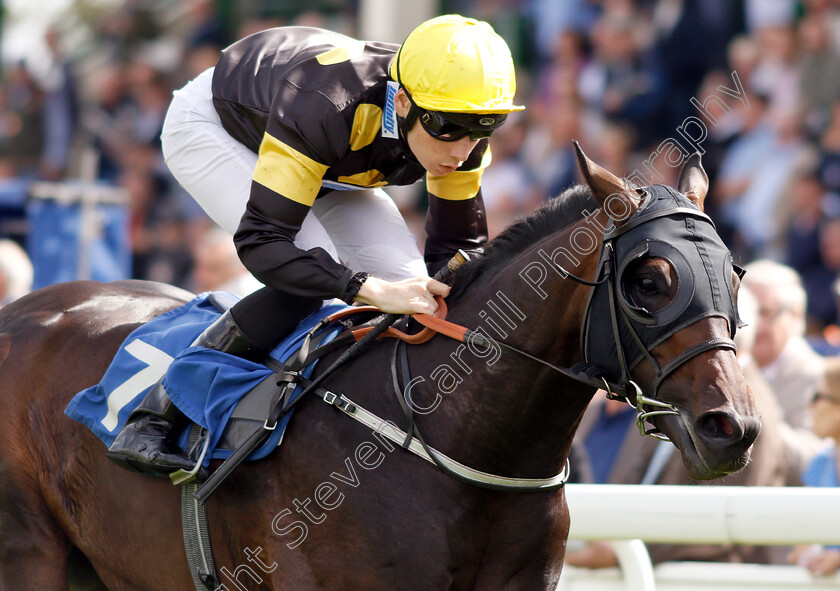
147 441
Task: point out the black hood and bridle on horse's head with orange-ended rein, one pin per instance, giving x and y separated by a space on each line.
633 331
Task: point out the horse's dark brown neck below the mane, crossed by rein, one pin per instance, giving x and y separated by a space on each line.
520 412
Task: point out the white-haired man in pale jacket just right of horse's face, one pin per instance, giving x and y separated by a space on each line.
787 362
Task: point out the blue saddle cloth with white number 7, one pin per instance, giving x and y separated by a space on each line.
204 384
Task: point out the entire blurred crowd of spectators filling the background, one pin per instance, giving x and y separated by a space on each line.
754 85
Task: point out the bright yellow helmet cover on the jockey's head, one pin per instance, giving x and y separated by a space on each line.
458 65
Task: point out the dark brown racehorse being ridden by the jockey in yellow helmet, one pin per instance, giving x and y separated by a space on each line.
338 507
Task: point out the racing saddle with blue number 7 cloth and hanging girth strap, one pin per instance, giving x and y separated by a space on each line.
263 397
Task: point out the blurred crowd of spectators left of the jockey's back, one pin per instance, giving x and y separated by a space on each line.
108 97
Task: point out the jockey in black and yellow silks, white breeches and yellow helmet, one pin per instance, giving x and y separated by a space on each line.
286 144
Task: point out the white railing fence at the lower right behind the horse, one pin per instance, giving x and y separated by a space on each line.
628 514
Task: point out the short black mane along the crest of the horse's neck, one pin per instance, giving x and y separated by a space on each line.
554 215
